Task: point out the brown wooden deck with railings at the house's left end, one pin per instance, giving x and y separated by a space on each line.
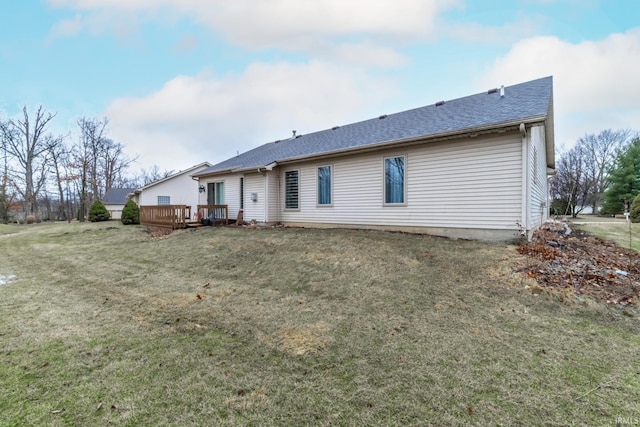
180 216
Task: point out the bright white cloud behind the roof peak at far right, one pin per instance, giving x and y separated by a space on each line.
595 82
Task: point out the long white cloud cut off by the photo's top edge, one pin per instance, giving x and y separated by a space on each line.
289 24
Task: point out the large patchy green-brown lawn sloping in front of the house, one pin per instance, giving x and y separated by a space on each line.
104 324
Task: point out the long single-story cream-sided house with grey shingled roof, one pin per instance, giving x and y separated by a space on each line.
474 167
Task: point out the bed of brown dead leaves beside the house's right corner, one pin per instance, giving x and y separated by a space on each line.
561 259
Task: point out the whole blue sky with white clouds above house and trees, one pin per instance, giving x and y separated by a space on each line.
187 81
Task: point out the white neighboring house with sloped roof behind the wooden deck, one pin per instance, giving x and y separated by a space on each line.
177 189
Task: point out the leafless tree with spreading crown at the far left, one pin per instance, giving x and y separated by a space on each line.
28 143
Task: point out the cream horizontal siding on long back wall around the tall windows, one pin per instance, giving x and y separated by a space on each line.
465 183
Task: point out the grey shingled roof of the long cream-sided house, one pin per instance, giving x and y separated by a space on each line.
528 102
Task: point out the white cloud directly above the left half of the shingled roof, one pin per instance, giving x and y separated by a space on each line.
192 119
